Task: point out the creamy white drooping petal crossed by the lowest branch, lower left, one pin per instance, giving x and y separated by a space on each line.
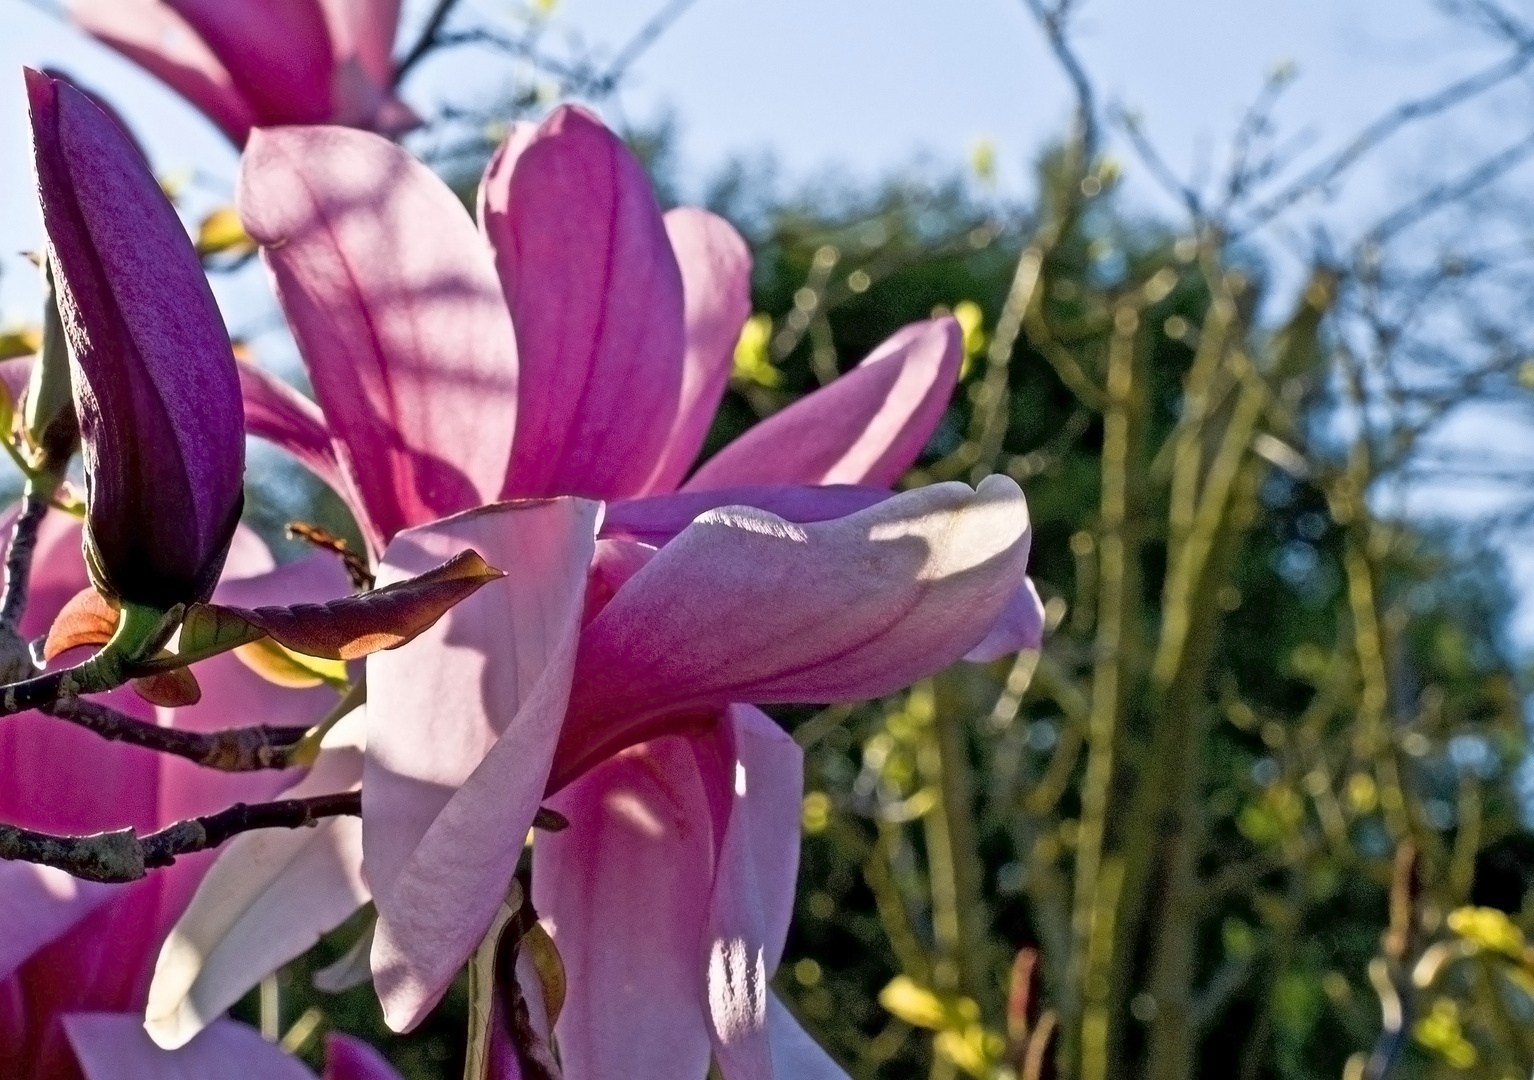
266 901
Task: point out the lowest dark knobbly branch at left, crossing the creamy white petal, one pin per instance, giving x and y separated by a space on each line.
123 855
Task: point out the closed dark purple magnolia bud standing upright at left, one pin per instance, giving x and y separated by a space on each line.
151 367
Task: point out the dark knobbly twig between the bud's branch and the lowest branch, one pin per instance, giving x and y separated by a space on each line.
235 751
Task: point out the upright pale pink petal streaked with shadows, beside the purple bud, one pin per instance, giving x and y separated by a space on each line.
398 314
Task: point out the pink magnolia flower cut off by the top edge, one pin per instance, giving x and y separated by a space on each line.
248 64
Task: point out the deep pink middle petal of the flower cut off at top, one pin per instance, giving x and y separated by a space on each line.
278 54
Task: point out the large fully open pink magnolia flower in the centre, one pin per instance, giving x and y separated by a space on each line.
574 351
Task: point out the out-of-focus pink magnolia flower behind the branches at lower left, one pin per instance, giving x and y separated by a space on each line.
81 947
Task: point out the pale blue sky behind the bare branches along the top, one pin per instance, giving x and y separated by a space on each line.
866 87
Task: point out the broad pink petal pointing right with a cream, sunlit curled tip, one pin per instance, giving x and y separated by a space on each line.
746 607
